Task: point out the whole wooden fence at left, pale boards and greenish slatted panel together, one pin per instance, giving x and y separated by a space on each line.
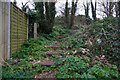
13 29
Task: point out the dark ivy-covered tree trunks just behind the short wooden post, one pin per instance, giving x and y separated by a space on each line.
46 23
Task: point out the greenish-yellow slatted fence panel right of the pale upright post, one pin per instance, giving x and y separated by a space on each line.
18 27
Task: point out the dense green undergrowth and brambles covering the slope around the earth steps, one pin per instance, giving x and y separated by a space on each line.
88 52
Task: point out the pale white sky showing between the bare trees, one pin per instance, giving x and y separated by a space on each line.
60 4
